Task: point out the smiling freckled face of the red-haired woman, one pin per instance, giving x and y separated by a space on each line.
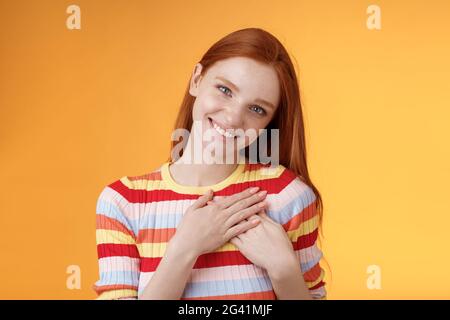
235 93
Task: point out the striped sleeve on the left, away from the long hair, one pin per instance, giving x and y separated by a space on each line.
118 256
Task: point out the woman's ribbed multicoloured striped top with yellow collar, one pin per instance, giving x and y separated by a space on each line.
136 217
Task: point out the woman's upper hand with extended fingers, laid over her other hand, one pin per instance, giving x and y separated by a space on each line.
205 227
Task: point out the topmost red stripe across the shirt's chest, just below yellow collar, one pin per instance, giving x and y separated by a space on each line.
272 185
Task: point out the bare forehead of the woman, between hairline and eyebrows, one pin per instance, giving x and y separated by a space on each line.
253 78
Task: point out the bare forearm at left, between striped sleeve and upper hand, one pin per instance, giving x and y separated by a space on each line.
169 280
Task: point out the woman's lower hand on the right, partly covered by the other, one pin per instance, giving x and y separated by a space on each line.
267 245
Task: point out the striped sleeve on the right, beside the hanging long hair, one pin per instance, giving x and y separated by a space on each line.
303 229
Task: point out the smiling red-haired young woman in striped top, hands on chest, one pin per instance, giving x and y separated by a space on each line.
233 230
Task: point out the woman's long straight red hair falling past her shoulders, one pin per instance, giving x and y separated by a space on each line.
262 46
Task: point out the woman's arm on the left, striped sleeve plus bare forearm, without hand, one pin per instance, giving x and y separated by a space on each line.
119 259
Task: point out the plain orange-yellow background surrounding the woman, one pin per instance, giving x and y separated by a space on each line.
81 108
